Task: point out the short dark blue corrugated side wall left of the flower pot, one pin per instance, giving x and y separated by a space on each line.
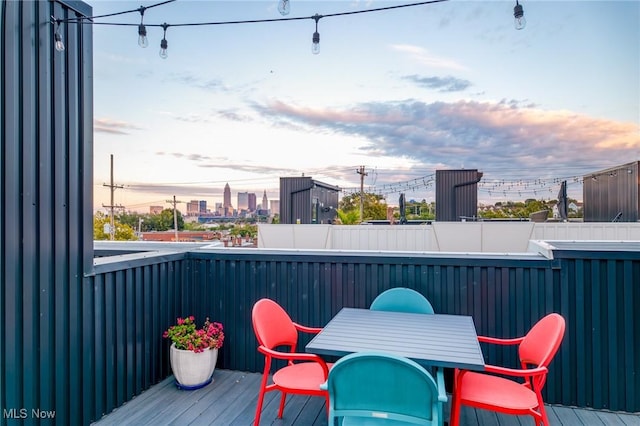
124 315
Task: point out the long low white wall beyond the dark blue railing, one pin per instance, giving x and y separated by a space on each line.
487 237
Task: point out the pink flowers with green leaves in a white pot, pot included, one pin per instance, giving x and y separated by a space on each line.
194 351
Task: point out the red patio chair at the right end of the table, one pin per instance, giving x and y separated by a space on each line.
490 392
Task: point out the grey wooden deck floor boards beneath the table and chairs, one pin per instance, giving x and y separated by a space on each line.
231 400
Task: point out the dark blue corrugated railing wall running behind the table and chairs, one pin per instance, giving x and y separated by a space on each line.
600 356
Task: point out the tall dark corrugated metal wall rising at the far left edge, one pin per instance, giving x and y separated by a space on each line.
46 232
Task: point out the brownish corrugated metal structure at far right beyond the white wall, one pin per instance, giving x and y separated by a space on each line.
607 193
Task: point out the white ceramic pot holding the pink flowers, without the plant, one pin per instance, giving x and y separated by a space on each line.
193 370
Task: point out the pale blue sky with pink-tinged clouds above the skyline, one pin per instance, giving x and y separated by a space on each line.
403 92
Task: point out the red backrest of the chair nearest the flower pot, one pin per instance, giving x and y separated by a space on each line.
272 325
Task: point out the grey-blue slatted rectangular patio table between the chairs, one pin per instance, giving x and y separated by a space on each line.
438 340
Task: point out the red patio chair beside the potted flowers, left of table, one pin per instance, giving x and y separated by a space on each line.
273 328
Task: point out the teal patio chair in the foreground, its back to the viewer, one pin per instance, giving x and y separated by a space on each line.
377 388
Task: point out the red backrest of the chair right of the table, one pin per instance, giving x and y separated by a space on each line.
541 343
